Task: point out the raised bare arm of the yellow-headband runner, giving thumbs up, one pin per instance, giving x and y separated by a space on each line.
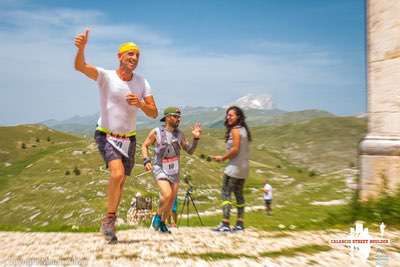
80 64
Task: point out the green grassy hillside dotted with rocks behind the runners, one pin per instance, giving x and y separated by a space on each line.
39 189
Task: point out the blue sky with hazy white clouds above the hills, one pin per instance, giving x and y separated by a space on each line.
305 54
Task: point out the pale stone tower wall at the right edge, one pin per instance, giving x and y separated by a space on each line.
380 149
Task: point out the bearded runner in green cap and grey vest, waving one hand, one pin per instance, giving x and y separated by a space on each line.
168 140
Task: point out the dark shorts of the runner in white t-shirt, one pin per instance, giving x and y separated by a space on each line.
108 152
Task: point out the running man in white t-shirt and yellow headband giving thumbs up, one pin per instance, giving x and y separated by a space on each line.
122 94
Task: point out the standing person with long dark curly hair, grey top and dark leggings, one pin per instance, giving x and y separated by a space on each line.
237 136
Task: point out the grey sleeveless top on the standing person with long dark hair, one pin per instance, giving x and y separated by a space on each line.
238 167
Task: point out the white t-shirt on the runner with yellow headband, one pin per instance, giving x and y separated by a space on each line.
116 114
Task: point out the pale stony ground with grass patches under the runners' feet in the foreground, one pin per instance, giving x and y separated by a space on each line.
188 246
